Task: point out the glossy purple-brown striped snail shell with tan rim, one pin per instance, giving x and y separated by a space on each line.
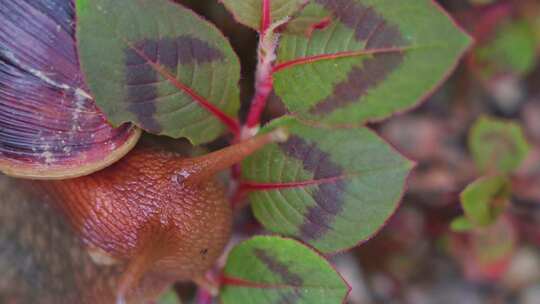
50 128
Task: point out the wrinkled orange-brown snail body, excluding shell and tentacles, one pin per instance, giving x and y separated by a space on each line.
143 200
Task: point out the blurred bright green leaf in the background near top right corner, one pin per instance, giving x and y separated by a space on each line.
512 50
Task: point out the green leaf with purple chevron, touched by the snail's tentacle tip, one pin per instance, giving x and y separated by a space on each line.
331 188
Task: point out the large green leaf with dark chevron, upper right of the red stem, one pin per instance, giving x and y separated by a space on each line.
377 57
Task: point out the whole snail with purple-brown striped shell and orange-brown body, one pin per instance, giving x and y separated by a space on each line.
152 210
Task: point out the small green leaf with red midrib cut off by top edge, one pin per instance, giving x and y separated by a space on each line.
250 12
